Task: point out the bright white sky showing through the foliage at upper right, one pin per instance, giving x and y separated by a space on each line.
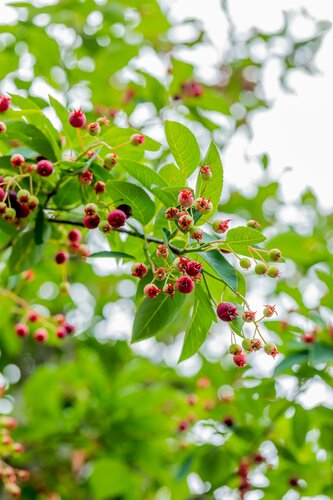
297 131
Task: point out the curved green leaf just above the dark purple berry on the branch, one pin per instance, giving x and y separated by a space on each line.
125 192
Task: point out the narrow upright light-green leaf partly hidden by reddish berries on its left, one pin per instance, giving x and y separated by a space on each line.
212 189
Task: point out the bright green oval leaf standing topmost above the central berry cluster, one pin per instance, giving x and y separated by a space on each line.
183 146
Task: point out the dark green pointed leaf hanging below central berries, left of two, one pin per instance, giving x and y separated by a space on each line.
155 314
